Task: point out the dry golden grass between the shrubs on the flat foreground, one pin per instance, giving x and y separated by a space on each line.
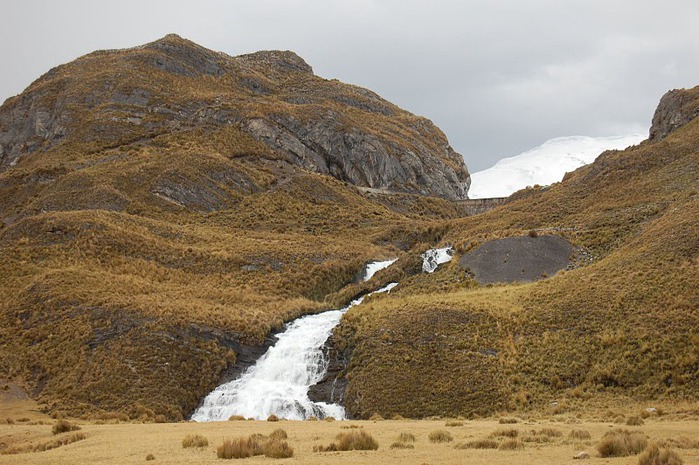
163 442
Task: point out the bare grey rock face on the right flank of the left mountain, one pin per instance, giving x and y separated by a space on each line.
325 145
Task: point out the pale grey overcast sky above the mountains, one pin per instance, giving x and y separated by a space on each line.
498 76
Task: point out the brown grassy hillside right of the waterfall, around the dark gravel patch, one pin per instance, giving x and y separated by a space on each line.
621 327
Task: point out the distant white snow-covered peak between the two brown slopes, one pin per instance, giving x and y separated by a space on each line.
545 164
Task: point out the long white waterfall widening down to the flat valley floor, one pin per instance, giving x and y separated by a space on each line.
278 383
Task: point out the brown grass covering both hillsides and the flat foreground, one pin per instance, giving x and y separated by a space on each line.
138 261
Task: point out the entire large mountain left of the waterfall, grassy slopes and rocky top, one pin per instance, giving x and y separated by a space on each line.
152 233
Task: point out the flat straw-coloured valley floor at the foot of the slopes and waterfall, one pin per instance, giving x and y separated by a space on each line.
131 443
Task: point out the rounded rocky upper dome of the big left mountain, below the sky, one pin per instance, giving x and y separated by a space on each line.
111 98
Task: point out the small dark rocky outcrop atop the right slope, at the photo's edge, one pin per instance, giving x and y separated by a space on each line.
676 108
